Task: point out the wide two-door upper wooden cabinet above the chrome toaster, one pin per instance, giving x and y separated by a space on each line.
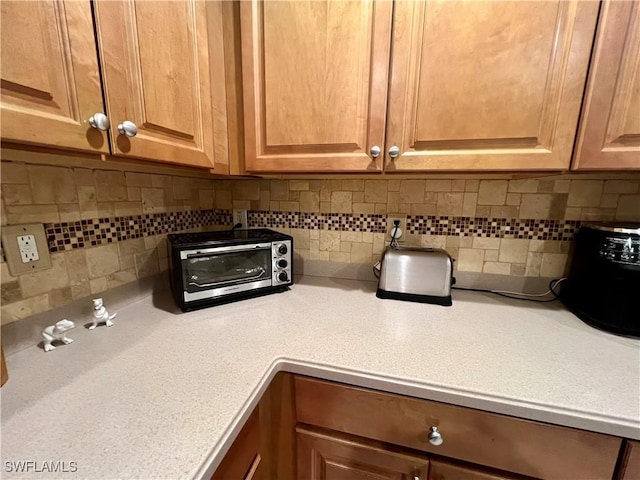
474 85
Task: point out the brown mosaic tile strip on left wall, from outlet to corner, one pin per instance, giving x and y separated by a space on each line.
100 231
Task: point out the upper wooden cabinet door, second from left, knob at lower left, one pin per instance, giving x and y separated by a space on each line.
156 73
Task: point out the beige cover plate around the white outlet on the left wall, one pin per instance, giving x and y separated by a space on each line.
12 251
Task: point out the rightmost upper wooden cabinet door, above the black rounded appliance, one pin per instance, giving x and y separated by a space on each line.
610 130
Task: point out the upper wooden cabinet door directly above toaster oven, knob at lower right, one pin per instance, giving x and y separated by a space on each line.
315 84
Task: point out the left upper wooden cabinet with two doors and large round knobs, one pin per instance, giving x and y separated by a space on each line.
162 67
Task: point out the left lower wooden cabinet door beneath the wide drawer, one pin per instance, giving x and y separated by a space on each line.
329 456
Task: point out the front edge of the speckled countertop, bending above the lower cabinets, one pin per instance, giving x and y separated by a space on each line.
563 417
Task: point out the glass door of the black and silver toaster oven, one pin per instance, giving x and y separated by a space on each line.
226 268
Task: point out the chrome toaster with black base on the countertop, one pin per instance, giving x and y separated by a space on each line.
416 274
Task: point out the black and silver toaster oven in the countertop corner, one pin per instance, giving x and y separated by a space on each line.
207 268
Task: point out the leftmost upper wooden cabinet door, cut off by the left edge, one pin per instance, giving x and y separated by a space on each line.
50 82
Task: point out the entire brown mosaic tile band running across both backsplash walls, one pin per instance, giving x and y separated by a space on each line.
87 233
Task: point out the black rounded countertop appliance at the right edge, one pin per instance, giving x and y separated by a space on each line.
603 286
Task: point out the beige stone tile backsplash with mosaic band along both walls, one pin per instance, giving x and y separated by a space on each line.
106 228
